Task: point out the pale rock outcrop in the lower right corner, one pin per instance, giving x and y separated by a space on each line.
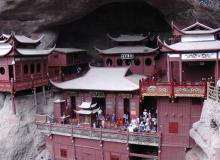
206 134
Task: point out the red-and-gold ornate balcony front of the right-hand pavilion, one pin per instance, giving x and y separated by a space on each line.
196 89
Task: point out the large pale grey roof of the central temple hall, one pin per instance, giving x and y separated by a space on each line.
102 79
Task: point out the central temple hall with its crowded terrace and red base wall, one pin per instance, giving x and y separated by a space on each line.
92 108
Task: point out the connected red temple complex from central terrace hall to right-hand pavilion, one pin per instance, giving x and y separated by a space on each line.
171 86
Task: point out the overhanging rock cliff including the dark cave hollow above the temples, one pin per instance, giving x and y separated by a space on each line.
84 23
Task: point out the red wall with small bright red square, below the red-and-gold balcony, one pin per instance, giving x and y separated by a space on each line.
175 121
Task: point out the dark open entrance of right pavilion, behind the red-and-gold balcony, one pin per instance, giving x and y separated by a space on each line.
205 70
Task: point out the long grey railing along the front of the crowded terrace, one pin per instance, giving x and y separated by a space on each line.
116 135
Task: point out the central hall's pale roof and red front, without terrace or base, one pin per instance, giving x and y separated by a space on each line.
115 90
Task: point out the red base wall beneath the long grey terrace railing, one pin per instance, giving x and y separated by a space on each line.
84 149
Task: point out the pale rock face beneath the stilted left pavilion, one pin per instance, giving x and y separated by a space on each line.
19 137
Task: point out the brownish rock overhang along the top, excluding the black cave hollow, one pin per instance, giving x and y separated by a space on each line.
29 16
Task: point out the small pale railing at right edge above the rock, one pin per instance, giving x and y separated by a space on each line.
213 92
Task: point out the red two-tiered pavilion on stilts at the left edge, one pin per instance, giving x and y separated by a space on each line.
23 66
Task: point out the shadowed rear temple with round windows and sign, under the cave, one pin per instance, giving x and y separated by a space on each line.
130 50
